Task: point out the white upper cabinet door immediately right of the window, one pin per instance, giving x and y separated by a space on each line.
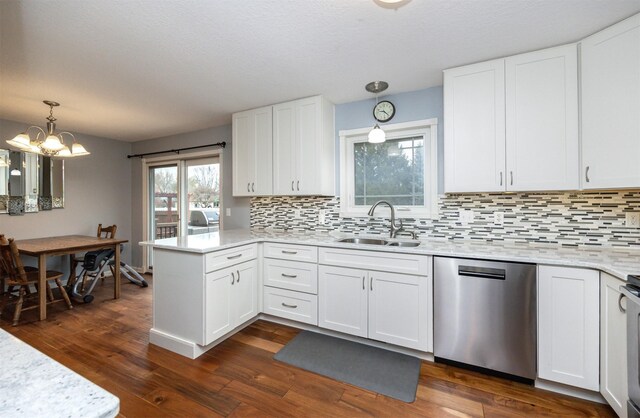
474 135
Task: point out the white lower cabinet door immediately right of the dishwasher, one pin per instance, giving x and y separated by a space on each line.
569 326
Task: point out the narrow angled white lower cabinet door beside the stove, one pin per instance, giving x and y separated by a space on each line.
613 344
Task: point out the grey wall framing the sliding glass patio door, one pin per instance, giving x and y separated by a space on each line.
239 206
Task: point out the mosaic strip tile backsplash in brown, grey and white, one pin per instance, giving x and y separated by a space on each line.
564 218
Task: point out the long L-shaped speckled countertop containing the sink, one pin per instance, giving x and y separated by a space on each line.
616 261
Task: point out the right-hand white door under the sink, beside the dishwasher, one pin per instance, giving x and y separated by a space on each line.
399 309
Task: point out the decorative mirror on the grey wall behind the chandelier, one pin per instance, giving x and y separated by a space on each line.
30 182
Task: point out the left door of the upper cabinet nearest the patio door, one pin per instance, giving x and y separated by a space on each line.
252 133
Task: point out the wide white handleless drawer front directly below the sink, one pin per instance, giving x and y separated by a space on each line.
377 260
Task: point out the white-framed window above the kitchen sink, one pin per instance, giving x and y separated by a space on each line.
402 170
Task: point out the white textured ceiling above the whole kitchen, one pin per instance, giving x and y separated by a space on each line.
139 69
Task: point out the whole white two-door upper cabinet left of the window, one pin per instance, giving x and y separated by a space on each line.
285 149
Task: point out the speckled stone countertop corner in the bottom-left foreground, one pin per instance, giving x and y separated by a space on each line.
34 385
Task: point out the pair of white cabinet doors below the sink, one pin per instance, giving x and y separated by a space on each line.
388 307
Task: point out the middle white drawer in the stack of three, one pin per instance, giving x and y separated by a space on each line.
292 275
